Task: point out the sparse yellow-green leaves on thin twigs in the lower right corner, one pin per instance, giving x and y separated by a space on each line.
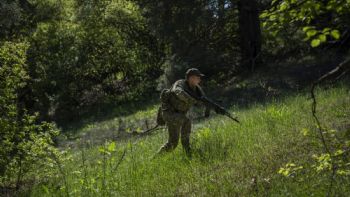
332 158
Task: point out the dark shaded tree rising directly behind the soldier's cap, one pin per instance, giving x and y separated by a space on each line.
207 39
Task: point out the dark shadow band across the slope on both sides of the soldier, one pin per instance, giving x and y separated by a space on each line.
270 83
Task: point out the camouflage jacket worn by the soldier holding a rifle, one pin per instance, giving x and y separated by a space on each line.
180 100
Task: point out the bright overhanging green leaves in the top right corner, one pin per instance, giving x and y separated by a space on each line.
319 21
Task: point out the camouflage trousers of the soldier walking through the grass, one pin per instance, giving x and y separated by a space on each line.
177 123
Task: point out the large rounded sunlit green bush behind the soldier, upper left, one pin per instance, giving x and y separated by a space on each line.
103 53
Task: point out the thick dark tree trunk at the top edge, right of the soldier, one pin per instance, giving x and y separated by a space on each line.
250 33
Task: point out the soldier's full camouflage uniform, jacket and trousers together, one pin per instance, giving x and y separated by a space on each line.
174 112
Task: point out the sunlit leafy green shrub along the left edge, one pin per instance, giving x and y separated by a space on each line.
25 144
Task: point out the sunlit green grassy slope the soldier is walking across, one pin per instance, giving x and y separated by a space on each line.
229 159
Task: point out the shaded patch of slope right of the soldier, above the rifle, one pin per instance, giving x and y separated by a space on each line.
275 82
